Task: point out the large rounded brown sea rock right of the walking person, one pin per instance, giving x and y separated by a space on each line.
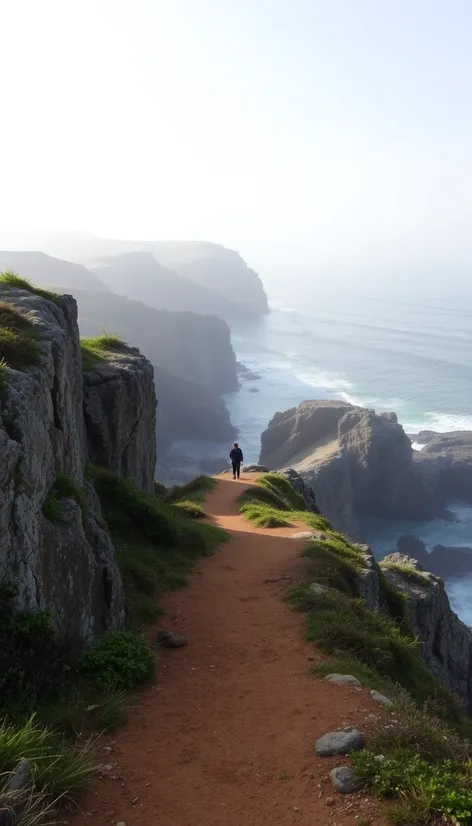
358 462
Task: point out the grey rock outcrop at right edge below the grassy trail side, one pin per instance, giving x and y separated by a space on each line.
445 642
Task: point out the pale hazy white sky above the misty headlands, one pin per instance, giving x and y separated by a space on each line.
325 135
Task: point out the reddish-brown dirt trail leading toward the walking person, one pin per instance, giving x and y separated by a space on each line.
225 736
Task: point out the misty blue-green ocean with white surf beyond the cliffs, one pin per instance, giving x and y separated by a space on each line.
410 356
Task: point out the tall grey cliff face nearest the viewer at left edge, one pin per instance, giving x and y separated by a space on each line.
66 564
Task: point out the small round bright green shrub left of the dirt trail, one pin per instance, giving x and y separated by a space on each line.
121 659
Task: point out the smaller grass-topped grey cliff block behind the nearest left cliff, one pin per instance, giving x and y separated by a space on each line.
120 416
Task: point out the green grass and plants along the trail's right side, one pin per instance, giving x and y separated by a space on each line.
419 759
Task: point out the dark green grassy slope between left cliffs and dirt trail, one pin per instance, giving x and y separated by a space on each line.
157 542
